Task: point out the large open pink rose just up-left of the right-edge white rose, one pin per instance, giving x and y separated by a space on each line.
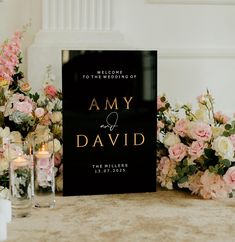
201 131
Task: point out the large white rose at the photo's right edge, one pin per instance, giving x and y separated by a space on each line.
223 147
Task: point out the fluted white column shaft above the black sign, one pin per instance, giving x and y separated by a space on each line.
79 15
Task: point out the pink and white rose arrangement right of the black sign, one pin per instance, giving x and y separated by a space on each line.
195 150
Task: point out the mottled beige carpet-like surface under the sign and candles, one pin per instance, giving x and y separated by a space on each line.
161 216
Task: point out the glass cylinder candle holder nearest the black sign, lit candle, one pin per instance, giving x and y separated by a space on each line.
44 179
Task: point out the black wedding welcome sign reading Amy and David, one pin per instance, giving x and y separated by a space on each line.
109 121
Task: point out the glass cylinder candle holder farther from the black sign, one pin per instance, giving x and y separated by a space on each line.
20 180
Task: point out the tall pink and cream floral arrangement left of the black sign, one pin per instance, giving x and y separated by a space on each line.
23 112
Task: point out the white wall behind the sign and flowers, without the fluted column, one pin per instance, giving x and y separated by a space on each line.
196 43
